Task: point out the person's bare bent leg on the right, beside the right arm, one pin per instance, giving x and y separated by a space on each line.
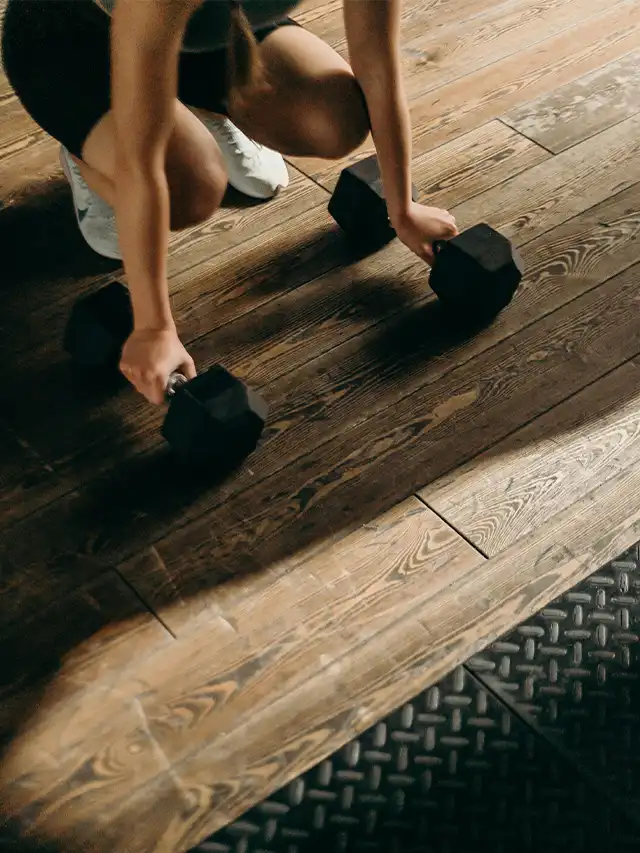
315 107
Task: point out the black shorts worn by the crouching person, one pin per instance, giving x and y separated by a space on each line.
56 57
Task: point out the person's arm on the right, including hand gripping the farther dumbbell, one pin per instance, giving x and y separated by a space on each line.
373 38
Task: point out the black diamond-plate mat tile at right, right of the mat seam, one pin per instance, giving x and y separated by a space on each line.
573 673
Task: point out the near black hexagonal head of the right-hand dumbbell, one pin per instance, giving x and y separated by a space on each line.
476 273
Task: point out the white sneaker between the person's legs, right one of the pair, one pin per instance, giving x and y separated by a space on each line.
252 168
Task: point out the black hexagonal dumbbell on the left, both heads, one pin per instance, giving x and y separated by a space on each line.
214 419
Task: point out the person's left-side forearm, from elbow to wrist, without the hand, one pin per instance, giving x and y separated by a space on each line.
142 219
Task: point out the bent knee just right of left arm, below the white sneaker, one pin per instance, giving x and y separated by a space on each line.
196 196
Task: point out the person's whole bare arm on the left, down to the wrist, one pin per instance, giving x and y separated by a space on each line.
145 41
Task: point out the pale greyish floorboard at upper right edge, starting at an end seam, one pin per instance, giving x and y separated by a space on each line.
582 108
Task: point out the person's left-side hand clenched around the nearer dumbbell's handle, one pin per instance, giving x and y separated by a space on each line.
150 356
